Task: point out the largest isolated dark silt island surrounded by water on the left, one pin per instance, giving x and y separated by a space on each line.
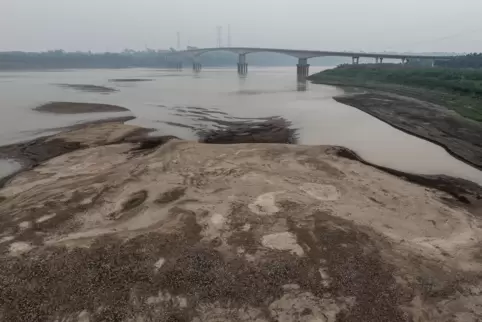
77 108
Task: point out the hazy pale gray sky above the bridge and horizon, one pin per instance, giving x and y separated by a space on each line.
369 25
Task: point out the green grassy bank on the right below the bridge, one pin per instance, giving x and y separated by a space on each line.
457 89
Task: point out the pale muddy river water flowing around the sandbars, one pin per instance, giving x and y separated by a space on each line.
171 96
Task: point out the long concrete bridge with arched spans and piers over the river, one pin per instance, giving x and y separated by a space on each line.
302 55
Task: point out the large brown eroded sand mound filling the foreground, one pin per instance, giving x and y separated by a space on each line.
249 232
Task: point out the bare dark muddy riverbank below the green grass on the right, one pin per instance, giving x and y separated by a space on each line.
412 110
